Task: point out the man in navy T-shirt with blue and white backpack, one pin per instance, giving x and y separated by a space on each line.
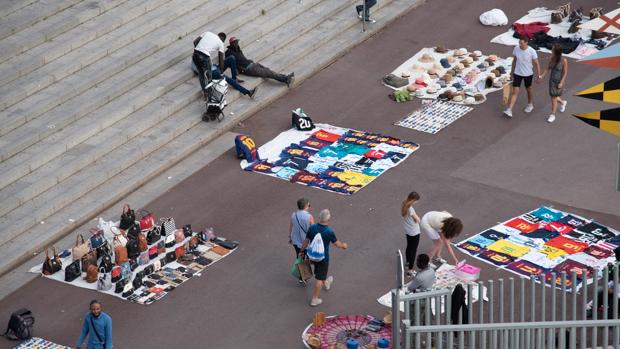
317 242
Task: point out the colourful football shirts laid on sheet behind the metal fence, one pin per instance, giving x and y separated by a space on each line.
544 241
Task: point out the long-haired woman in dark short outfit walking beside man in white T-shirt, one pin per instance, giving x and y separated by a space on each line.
558 68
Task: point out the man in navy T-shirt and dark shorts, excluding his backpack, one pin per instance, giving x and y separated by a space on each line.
321 268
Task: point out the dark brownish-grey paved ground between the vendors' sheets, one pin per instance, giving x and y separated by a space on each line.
484 168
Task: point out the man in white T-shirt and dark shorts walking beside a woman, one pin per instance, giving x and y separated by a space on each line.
524 59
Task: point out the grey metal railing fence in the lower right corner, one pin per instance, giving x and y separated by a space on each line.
519 313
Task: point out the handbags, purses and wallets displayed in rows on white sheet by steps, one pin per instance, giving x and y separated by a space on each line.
137 259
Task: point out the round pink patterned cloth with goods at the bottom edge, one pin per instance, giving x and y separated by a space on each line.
339 330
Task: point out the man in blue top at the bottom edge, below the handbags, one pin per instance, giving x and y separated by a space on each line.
98 327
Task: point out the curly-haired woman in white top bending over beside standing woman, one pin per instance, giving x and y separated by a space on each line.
441 227
